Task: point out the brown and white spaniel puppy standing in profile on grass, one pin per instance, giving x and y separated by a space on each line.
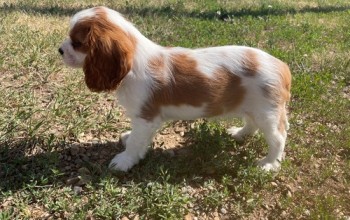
155 84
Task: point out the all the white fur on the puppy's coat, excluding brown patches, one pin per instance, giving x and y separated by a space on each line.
256 109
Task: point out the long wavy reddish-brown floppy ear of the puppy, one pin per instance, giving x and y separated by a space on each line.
110 55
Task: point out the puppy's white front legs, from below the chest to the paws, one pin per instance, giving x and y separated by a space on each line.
136 143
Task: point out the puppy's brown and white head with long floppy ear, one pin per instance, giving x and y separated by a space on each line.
100 46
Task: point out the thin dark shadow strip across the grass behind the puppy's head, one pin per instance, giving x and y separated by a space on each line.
170 11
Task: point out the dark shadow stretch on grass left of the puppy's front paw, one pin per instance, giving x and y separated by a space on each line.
33 162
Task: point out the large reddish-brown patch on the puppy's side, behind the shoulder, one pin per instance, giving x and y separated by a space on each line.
188 86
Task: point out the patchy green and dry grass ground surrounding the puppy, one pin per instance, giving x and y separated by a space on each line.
56 137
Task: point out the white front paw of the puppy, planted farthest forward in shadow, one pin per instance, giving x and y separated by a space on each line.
123 162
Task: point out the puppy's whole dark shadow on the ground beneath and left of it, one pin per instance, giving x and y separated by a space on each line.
206 153
